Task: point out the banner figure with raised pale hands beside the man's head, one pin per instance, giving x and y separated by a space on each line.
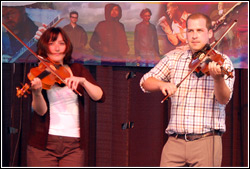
176 34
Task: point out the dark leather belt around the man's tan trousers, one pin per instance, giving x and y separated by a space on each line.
192 137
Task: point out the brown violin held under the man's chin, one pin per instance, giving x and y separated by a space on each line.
202 68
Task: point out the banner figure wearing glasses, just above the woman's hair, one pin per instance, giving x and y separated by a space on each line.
77 35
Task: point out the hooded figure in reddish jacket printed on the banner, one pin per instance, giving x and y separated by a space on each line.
109 37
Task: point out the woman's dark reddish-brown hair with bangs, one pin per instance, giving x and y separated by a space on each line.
51 34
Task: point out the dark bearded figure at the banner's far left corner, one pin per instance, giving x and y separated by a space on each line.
15 18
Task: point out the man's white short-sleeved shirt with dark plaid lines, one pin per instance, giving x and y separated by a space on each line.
193 107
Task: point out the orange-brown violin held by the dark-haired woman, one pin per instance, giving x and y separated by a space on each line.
48 79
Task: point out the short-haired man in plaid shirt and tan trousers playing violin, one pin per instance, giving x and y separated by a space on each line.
197 119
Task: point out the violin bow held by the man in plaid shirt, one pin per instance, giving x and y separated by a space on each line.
202 56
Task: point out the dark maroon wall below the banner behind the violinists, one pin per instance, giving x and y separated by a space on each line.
126 130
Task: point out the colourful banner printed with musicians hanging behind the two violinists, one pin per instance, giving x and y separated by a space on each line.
138 46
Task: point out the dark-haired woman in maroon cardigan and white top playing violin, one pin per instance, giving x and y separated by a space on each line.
57 129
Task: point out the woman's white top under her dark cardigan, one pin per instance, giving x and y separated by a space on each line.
64 112
